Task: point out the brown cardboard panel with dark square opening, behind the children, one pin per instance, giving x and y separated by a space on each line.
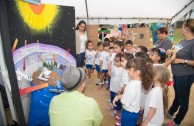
139 36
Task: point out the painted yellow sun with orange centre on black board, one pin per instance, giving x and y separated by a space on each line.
39 18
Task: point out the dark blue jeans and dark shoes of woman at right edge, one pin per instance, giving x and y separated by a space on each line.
182 86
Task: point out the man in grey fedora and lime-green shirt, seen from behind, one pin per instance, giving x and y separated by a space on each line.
73 108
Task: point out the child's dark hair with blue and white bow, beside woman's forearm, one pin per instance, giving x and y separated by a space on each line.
161 52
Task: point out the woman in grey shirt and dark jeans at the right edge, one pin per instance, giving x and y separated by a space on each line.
183 73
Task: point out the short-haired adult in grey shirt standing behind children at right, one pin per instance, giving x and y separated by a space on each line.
163 42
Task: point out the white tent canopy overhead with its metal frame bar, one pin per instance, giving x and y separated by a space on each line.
127 11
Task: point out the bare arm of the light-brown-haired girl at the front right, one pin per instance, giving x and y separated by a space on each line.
150 115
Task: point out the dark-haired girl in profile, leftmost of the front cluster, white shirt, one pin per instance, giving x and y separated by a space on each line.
117 72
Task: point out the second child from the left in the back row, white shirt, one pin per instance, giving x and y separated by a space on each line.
97 60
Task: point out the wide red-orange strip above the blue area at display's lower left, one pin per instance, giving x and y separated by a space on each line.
31 89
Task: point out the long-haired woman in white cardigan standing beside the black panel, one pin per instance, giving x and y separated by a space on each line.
81 38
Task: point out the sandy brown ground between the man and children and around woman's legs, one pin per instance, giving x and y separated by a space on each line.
101 96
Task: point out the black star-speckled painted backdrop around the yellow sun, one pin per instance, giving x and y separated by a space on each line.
63 33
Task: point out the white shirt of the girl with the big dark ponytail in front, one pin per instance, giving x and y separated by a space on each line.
131 98
